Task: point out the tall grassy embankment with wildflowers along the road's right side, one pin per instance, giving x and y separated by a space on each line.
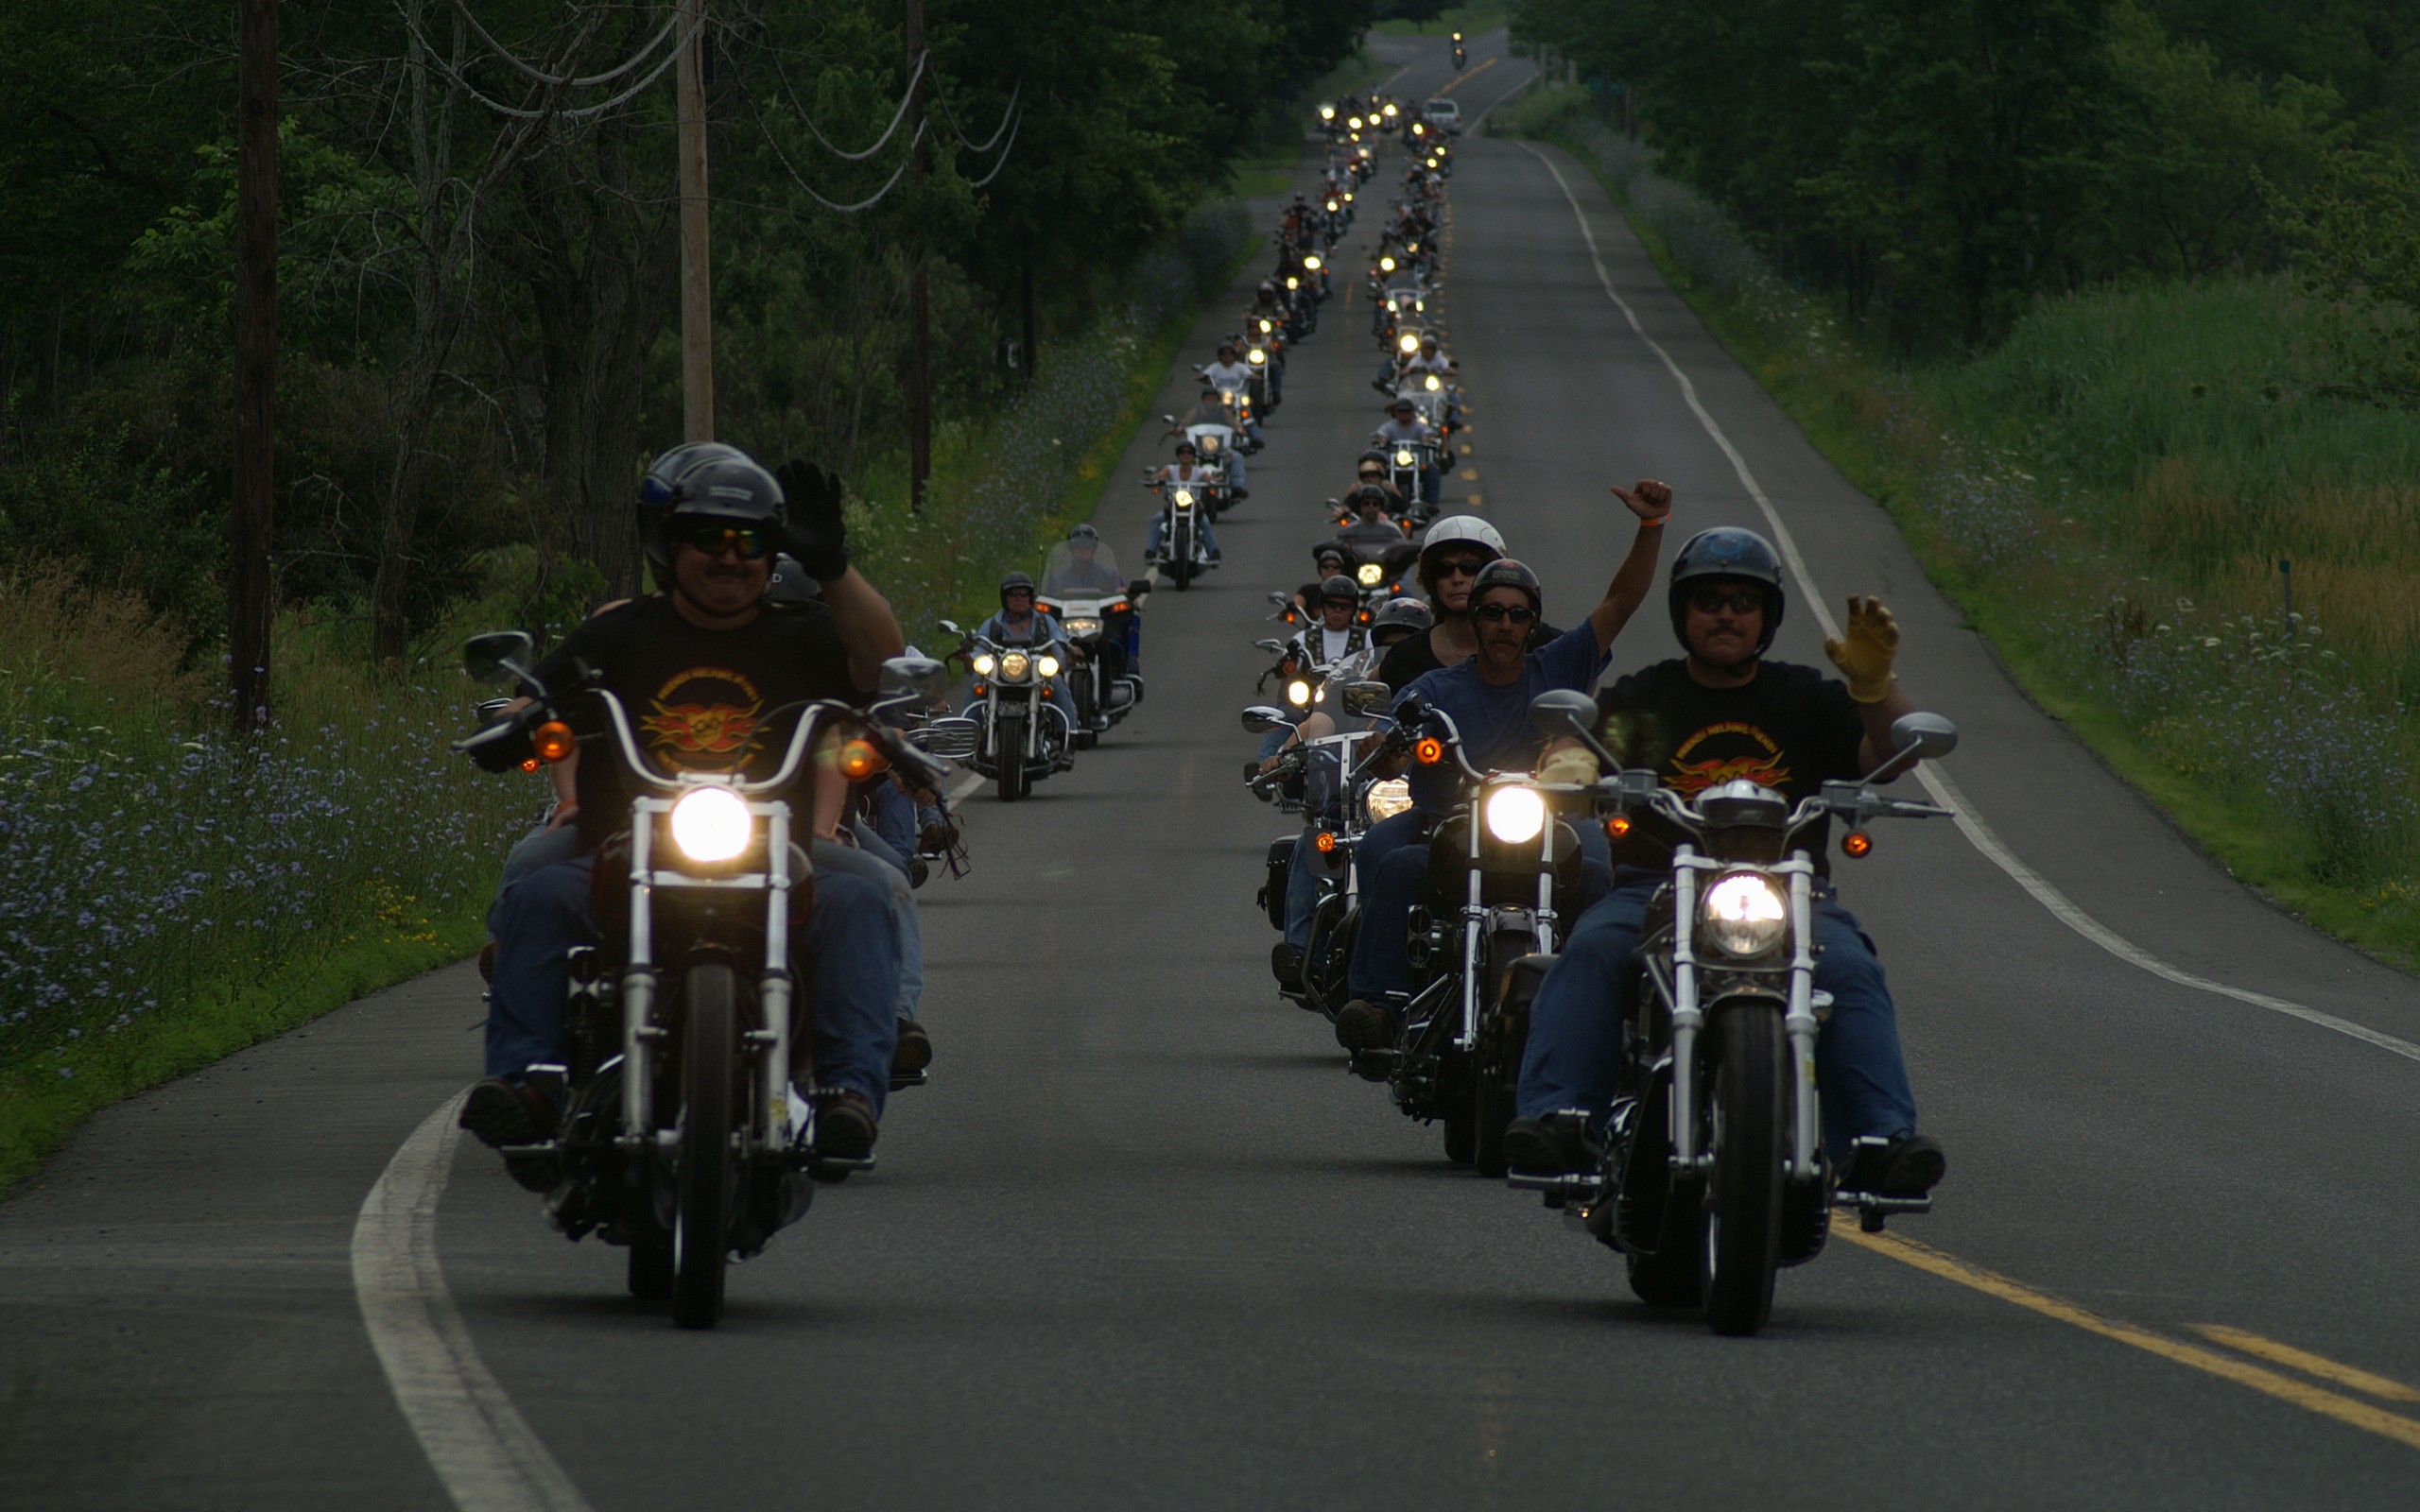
2109 495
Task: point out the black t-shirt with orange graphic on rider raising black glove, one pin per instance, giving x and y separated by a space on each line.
698 700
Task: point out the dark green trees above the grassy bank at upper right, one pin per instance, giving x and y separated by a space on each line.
1942 163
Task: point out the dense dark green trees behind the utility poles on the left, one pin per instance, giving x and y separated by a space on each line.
478 306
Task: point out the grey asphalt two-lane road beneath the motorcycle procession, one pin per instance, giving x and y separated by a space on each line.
1143 1240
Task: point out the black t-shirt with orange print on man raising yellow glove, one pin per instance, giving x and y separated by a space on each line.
1792 729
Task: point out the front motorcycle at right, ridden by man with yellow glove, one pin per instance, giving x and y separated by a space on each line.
1715 1172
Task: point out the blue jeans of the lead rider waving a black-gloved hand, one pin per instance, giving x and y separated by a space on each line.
853 979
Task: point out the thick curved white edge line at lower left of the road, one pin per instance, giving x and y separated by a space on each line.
476 1441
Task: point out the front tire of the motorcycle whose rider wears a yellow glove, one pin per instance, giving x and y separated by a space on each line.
1748 1124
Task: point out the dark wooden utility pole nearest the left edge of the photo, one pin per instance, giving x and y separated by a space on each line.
250 512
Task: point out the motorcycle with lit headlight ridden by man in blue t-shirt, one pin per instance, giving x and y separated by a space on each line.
1514 862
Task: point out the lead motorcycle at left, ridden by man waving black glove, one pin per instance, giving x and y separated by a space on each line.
681 1136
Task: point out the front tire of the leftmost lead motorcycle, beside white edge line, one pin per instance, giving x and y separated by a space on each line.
703 1206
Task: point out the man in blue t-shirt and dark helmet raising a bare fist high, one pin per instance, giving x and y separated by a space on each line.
1490 703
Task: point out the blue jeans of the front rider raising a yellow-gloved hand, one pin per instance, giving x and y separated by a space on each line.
1577 1022
